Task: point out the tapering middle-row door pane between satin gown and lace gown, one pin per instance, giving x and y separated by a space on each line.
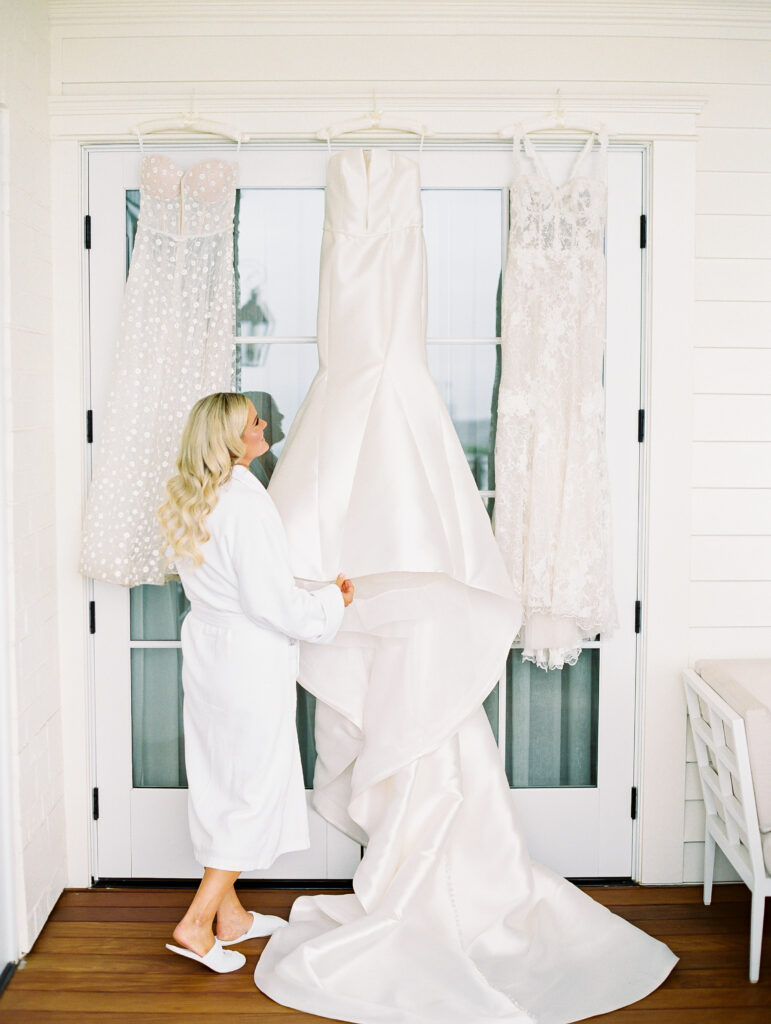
465 376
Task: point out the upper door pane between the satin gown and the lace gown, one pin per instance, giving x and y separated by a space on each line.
463 230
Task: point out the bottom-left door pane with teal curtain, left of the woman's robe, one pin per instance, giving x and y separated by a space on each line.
157 741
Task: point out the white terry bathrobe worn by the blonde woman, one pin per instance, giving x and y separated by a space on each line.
240 660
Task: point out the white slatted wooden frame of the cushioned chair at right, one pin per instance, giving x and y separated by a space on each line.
724 769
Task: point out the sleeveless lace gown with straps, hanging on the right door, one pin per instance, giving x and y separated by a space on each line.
552 513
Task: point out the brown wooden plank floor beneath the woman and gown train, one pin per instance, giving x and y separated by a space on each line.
102 959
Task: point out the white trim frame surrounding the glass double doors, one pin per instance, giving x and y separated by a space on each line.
668 125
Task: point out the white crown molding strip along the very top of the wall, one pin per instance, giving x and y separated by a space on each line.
688 18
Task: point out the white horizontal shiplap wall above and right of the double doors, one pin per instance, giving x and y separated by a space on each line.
112 60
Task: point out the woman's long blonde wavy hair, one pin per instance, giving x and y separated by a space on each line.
211 445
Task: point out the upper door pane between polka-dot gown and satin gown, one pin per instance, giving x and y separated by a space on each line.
278 246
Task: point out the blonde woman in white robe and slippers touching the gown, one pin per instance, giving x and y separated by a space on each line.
240 660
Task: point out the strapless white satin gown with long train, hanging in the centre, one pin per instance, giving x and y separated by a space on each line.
451 923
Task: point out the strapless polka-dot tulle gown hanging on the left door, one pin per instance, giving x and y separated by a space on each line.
176 346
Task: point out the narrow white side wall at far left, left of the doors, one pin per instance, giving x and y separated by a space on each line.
29 400
